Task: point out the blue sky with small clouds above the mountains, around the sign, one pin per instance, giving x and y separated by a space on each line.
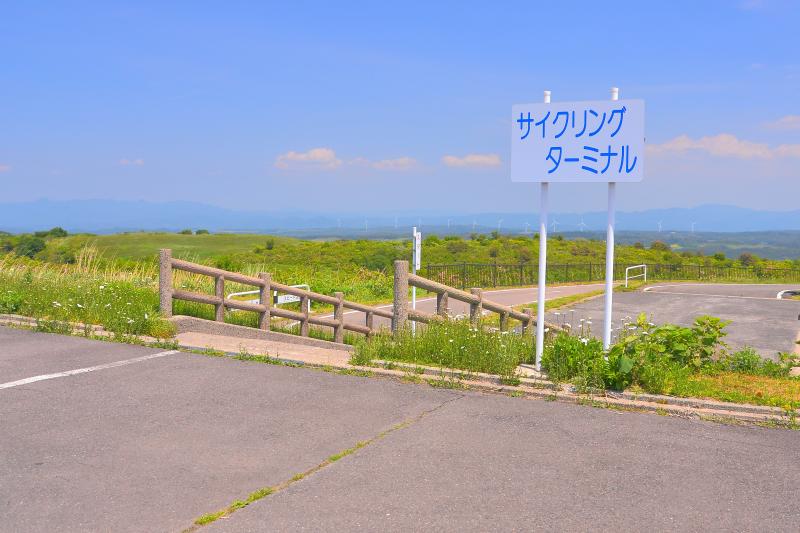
375 106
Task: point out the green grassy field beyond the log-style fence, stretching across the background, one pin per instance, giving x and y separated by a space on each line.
36 265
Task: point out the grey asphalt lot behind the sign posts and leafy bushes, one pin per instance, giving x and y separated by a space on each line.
758 319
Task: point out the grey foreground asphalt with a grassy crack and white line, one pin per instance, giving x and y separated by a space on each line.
147 440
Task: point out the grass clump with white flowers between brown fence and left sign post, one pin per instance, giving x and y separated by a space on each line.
449 344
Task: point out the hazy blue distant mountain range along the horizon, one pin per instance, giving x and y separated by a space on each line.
111 216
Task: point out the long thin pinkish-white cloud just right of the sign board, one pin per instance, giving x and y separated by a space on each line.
725 145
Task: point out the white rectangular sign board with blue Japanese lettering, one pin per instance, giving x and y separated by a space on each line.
599 141
